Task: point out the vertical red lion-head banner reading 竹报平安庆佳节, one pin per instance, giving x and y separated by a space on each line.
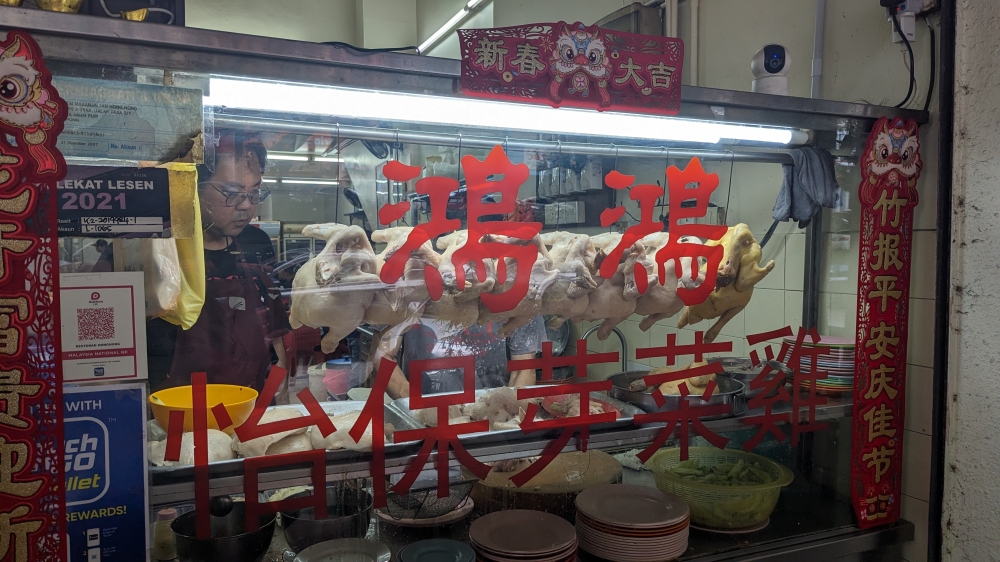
890 168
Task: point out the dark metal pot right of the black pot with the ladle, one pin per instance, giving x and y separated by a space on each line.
348 516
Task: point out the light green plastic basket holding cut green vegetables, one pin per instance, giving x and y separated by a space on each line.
721 507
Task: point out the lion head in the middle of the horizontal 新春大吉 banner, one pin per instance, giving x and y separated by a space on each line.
581 56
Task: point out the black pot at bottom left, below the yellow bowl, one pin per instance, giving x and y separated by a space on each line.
228 542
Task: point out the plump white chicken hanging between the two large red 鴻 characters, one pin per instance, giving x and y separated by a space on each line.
573 259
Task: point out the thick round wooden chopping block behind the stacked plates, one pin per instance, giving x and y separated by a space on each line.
553 490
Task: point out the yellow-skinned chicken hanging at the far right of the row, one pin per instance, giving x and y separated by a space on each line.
738 272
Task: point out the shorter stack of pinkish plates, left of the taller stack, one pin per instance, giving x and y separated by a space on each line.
521 535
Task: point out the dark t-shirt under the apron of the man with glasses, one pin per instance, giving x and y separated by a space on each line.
258 253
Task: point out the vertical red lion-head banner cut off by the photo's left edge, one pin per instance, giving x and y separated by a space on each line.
32 498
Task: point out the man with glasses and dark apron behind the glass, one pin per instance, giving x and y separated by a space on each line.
243 317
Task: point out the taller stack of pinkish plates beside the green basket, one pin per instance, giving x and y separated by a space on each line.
631 523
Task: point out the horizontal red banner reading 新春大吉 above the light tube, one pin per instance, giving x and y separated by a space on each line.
574 65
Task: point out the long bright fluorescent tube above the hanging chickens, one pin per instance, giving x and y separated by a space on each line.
471 112
